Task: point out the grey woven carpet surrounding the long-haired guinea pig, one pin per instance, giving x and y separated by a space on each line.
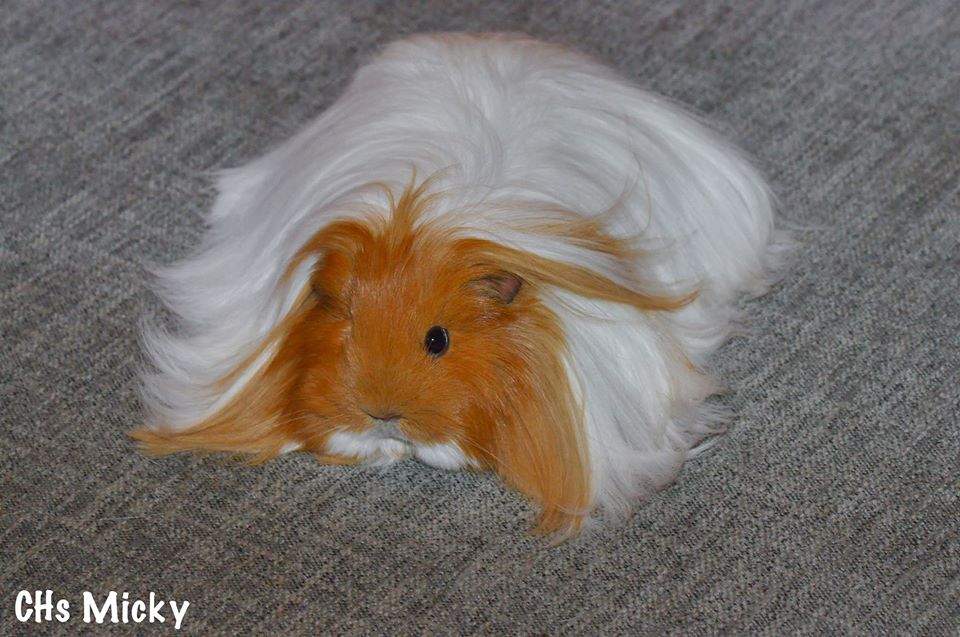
832 506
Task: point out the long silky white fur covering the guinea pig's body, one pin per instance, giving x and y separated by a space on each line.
515 129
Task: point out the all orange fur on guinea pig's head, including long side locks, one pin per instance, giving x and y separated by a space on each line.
352 347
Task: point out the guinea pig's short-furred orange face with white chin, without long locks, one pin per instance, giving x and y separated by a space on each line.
410 346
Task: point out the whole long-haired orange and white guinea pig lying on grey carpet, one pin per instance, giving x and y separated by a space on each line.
490 253
